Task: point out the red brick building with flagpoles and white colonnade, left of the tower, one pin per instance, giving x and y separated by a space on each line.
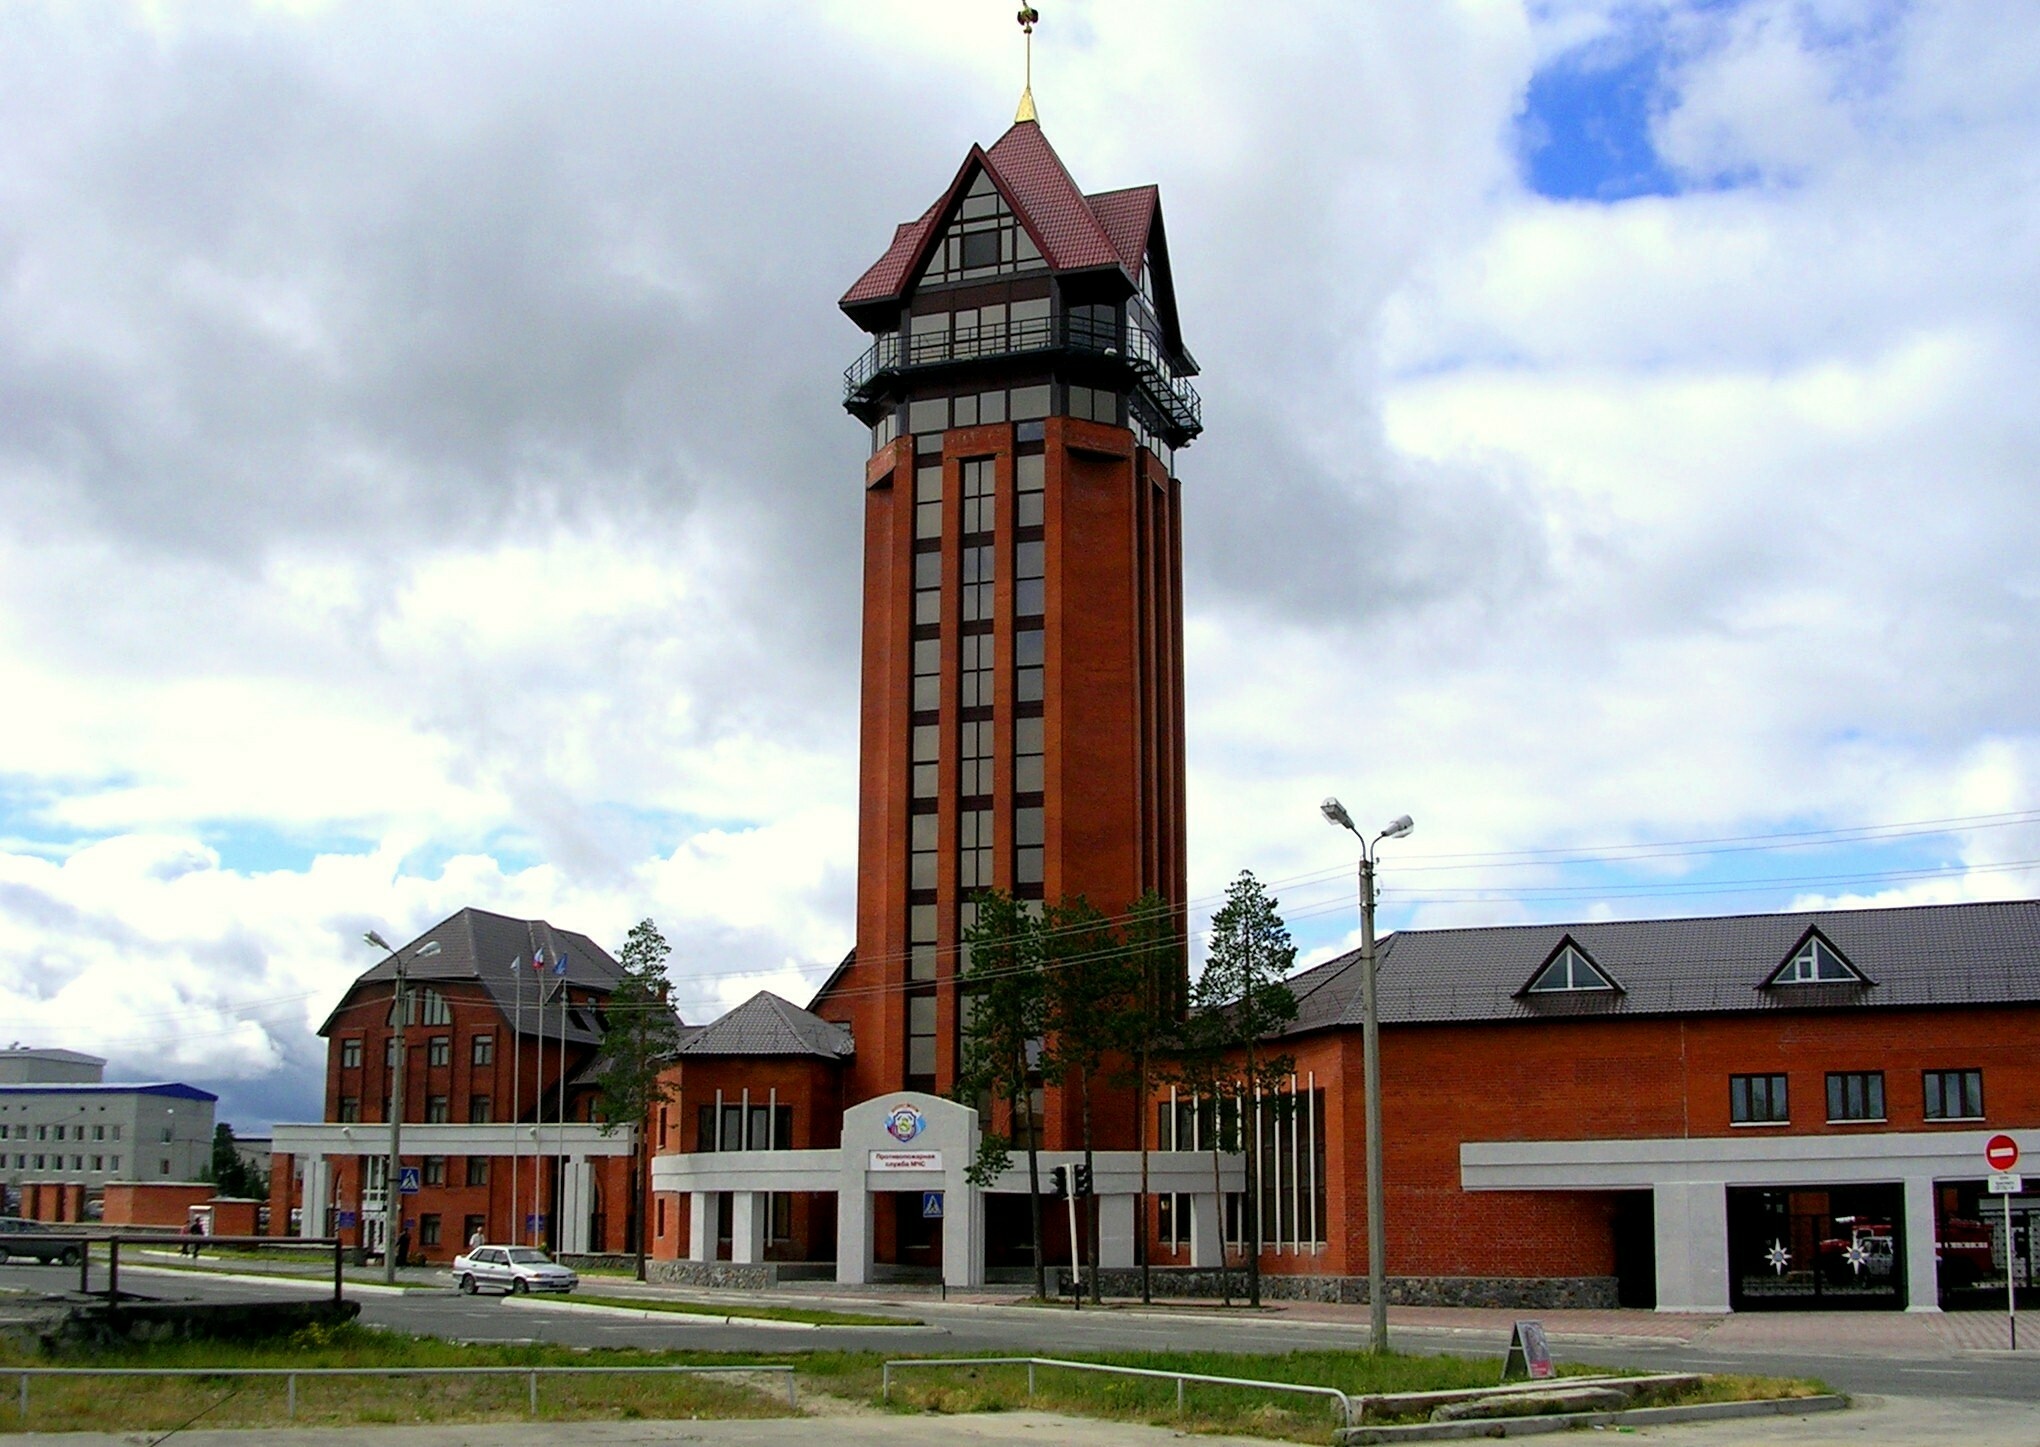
499 1115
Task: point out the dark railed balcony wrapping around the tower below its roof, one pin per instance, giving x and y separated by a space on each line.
895 356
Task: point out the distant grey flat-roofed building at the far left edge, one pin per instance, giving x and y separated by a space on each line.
62 1124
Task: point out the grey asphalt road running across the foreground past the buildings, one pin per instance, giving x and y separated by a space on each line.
1050 1332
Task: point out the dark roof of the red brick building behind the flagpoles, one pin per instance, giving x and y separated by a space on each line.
484 948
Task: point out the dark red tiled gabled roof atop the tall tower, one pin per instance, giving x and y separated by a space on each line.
1076 232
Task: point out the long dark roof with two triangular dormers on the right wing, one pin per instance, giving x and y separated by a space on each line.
1917 956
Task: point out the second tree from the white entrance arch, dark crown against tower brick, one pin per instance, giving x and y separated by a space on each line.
1090 989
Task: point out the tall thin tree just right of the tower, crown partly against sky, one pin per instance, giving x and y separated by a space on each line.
1243 985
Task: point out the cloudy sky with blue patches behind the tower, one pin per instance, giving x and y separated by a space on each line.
423 479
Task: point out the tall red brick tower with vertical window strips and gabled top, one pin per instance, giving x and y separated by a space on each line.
1023 699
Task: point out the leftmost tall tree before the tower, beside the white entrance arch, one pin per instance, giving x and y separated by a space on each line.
1003 1021
